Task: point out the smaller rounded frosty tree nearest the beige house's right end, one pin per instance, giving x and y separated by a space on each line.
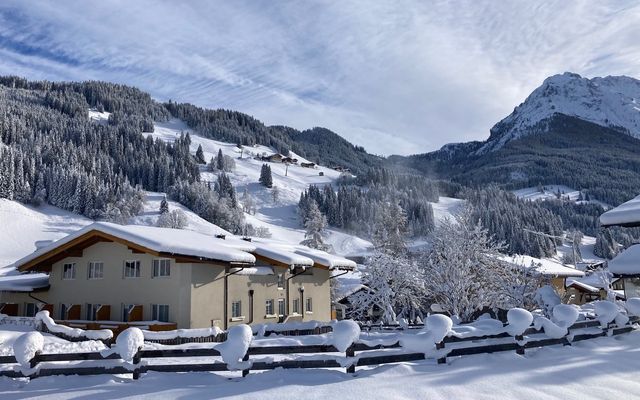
395 287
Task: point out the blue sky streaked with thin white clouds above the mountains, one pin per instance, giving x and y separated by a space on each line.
397 76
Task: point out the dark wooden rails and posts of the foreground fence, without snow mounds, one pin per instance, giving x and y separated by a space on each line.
357 355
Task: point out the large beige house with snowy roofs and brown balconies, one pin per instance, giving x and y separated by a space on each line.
109 272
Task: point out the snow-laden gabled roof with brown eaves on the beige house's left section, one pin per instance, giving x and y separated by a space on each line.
164 240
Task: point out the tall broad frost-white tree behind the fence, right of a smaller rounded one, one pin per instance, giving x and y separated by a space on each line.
463 272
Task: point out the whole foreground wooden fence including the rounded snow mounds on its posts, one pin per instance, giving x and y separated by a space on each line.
343 348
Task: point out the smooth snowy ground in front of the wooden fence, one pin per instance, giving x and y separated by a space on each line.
603 368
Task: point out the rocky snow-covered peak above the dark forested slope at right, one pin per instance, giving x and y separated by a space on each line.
612 101
